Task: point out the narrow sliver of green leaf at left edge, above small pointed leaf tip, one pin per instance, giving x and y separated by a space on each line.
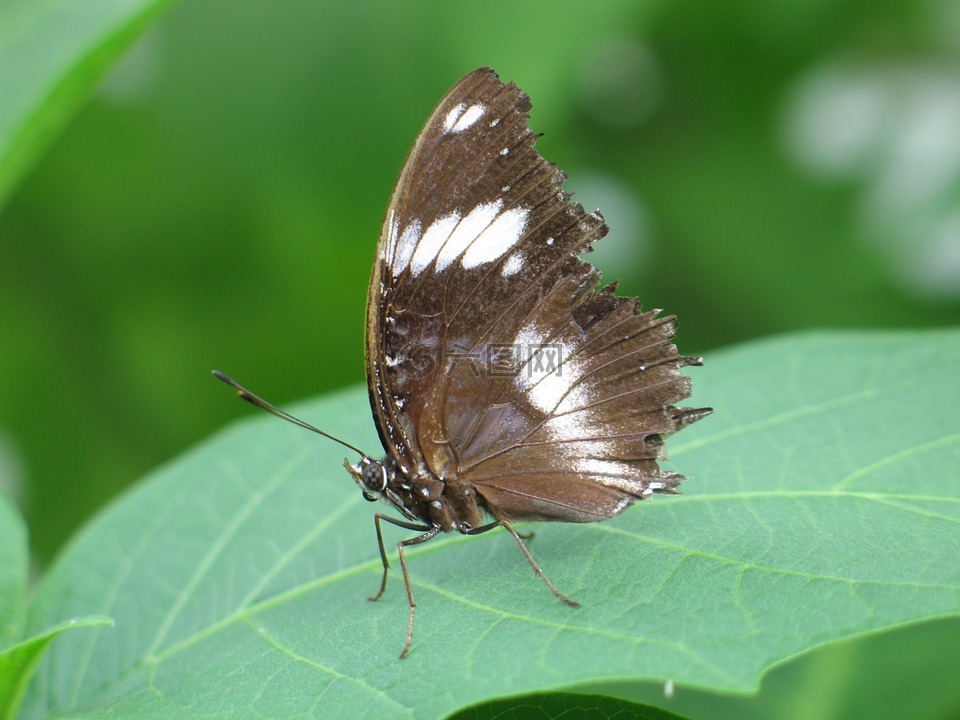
14 564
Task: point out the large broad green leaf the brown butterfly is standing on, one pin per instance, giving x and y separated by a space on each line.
824 504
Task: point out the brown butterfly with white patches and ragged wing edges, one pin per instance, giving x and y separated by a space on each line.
506 385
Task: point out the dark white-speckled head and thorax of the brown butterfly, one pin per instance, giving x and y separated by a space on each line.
449 504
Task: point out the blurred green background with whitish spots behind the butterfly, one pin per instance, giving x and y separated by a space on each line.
765 167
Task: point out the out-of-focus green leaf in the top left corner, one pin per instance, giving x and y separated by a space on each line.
52 53
